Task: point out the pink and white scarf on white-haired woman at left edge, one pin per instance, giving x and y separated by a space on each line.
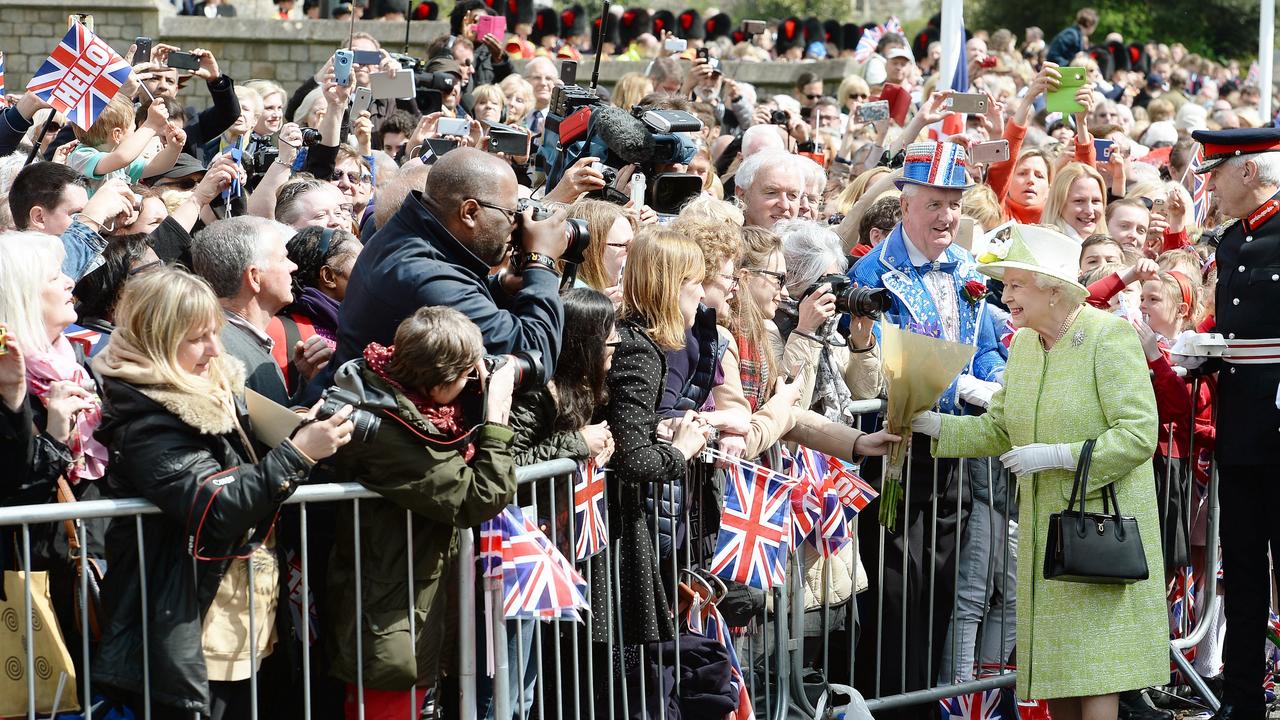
60 364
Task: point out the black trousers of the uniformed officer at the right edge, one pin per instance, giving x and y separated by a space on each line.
1246 495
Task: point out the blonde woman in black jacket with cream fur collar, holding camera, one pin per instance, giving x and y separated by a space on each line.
175 417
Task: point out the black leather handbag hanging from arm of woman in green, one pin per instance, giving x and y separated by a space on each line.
1094 548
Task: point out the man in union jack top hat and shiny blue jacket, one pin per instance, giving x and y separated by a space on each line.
936 290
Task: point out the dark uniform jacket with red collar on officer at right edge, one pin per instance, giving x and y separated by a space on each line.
1249 307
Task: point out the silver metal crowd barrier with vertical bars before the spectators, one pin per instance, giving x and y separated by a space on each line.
556 671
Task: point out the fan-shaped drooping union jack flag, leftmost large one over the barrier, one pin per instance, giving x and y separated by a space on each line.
538 581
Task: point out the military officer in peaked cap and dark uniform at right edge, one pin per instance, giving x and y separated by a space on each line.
1244 170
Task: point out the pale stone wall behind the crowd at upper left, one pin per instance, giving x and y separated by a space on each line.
287 52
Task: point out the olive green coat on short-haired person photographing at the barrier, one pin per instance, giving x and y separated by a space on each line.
442 495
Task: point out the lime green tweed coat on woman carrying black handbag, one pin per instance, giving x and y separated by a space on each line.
1076 639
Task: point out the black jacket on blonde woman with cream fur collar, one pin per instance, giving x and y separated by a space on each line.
211 499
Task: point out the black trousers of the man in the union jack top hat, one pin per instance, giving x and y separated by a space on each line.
926 563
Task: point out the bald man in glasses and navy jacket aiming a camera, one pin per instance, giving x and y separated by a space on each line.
444 247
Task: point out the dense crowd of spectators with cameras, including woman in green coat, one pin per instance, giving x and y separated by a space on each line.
166 272
